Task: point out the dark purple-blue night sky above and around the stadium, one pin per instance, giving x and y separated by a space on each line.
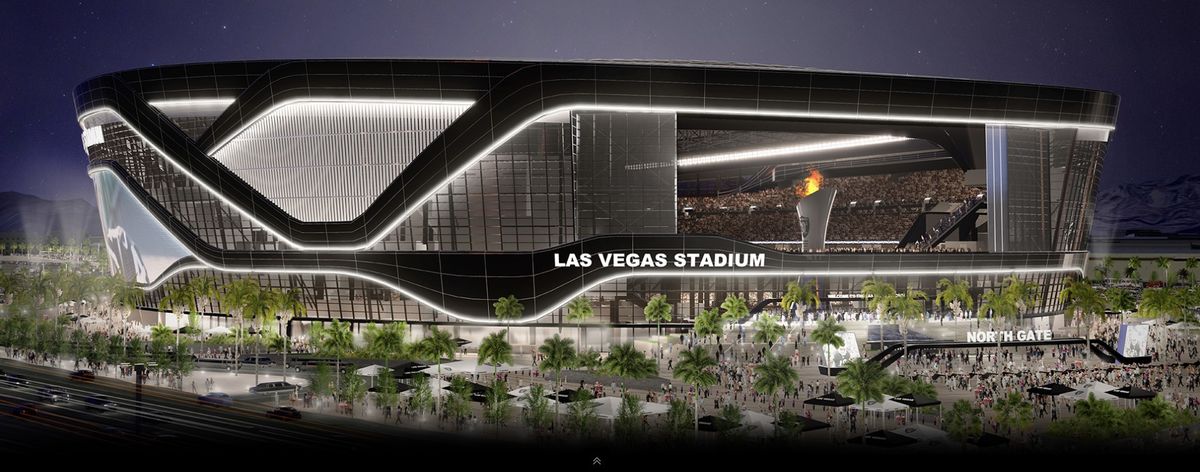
1144 51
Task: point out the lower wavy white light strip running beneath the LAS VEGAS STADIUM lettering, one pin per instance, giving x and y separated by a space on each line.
682 273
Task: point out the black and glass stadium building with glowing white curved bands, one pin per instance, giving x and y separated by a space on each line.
424 190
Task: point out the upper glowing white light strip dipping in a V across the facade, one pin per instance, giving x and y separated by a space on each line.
416 204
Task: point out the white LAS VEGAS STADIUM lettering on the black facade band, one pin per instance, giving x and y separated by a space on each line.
661 260
